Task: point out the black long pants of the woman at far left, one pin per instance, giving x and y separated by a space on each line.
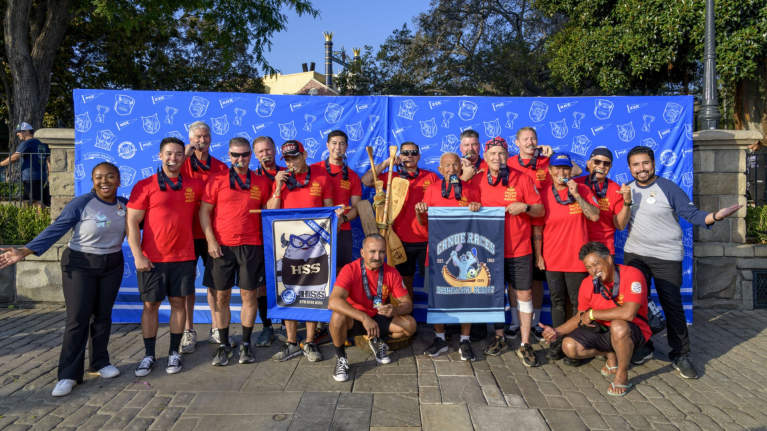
91 282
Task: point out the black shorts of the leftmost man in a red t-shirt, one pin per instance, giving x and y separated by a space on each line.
167 279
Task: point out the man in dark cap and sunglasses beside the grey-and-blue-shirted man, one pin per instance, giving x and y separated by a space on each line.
613 214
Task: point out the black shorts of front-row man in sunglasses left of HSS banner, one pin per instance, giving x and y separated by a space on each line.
245 262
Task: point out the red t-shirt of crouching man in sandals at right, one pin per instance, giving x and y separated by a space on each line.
632 289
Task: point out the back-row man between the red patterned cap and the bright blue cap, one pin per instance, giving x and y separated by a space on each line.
532 160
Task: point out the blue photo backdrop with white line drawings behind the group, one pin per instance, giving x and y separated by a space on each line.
125 128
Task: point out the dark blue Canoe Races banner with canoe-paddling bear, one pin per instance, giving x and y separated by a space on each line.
466 282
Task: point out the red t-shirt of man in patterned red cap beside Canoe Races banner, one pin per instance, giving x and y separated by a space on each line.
518 228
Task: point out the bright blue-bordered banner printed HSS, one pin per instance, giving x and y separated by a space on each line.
300 261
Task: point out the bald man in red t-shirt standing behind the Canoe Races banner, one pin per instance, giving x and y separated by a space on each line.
450 192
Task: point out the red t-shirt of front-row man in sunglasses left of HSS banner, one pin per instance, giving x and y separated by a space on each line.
233 224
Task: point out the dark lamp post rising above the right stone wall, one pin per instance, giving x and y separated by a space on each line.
709 113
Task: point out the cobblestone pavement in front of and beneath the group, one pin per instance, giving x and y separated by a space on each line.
413 392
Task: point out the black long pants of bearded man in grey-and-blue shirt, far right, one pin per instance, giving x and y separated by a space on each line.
668 284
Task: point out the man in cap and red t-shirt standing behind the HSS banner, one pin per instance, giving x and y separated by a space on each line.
300 186
